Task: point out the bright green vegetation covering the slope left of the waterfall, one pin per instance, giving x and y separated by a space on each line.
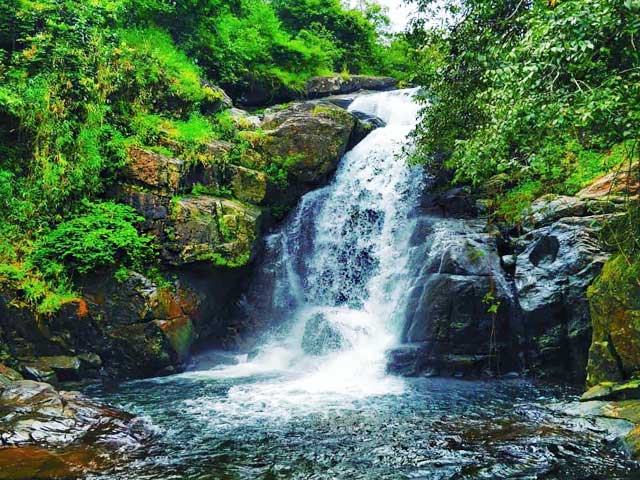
81 82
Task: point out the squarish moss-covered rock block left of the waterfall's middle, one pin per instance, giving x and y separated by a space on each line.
211 229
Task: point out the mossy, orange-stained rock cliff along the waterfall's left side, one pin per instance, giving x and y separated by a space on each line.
207 219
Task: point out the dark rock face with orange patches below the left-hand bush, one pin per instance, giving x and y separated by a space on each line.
126 329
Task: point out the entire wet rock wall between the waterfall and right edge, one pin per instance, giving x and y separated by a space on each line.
495 299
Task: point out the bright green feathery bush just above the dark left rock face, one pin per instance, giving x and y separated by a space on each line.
104 235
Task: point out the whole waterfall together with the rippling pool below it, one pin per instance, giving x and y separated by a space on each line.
313 401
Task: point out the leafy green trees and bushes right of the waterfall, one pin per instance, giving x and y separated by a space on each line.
533 97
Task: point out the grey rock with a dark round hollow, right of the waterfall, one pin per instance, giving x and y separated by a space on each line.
553 271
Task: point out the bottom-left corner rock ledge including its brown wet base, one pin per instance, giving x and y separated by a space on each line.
46 433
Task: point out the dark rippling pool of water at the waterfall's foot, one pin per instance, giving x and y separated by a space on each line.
214 425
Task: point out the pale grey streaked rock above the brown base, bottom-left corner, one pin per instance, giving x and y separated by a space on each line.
34 413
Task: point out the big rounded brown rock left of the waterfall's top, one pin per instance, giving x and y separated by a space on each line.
309 138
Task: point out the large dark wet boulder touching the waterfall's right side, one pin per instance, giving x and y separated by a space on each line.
458 317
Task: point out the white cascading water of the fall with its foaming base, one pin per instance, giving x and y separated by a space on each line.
342 254
